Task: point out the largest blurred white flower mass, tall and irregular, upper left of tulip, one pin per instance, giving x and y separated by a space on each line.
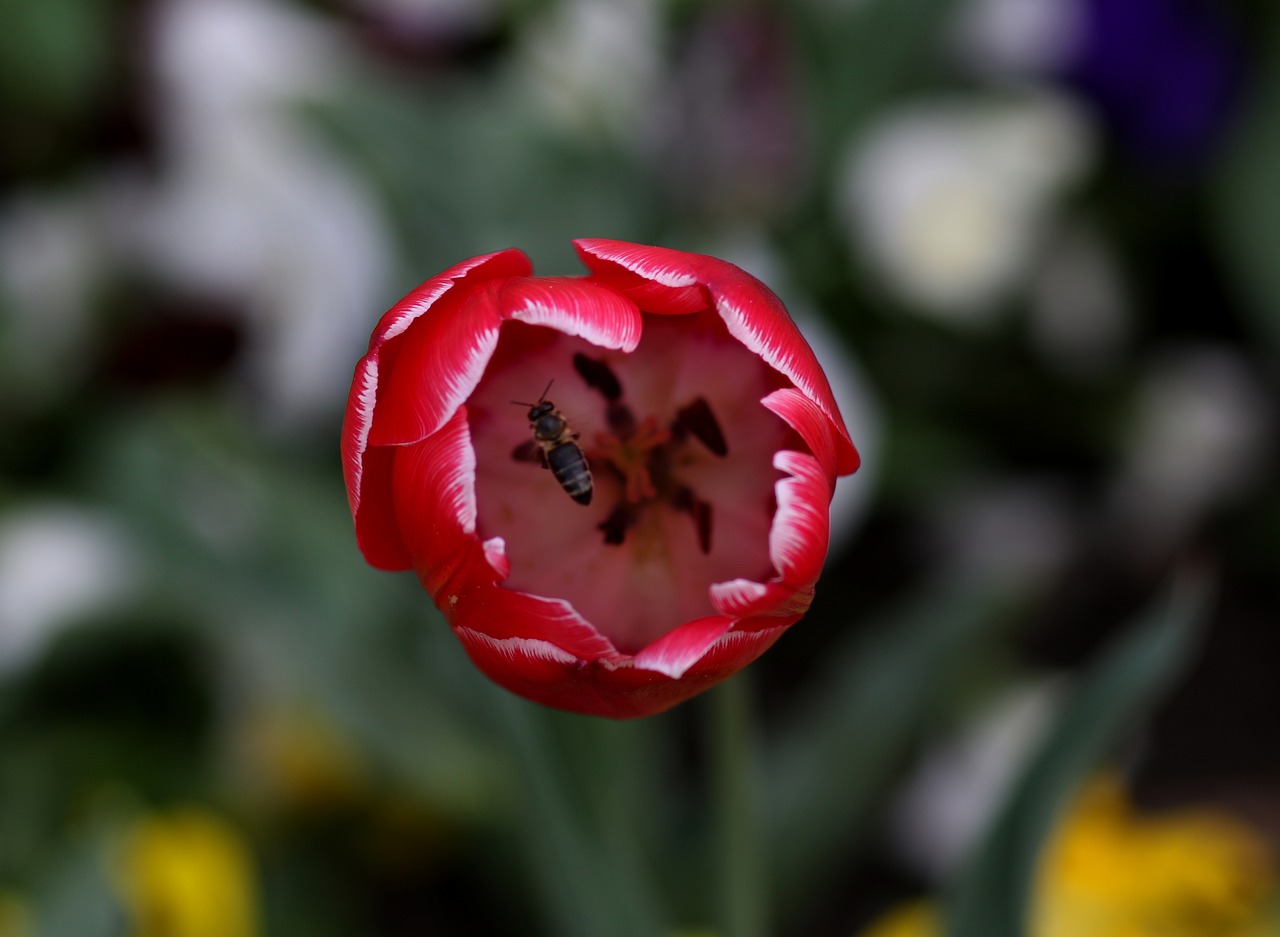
252 204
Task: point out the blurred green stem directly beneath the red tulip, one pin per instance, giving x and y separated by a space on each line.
735 788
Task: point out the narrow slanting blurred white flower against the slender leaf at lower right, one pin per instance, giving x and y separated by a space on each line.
954 793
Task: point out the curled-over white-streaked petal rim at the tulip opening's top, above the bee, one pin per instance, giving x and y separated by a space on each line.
577 308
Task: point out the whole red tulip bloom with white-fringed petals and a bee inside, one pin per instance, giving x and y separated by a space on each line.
707 428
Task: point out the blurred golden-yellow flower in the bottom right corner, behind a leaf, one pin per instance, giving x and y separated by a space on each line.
1110 872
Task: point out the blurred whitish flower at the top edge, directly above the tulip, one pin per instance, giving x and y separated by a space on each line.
593 66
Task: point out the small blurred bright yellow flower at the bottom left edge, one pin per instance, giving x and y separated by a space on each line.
188 874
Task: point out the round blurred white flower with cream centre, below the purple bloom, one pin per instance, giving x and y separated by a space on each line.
949 200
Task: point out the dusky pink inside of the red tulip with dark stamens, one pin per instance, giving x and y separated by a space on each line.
680 454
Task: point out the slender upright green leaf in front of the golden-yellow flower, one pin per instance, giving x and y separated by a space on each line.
991 895
